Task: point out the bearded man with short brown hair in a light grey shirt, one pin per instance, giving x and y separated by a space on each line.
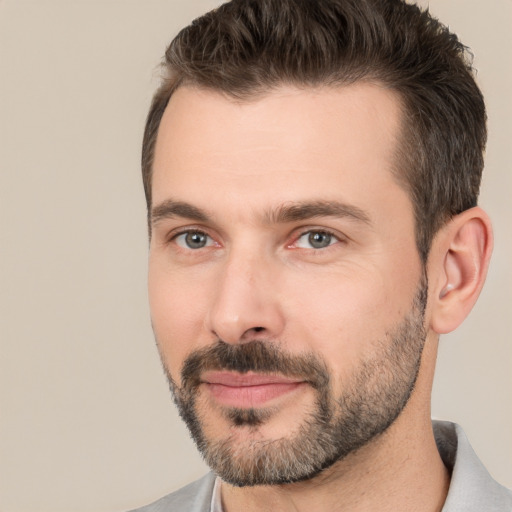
311 171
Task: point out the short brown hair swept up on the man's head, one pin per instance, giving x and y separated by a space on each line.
246 48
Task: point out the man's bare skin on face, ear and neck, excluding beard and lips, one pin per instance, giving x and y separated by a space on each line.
257 278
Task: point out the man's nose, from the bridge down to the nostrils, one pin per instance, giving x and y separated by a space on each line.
246 303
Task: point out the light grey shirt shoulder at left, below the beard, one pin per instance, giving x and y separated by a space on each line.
195 497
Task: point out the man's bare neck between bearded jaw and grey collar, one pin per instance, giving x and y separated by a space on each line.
392 473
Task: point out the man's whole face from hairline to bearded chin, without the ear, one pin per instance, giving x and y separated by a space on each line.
286 291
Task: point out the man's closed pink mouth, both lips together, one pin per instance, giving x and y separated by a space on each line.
248 390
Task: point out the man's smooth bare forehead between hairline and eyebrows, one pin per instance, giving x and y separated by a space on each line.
290 144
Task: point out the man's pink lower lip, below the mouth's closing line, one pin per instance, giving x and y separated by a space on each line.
251 396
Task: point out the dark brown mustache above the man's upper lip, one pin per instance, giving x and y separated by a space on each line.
256 356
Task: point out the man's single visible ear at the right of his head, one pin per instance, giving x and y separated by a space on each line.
458 266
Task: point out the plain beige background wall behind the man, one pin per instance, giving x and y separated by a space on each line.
86 421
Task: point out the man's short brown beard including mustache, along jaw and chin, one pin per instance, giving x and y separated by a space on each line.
335 426
